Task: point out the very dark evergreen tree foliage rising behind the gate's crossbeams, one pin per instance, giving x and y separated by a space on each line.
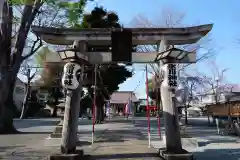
113 74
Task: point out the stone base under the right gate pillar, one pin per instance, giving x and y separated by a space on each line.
185 155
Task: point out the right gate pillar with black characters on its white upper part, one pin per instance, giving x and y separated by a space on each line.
170 115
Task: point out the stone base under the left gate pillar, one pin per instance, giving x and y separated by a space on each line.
79 155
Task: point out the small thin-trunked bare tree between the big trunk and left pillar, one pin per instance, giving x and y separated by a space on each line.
27 71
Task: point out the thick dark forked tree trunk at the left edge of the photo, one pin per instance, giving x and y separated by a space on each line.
10 63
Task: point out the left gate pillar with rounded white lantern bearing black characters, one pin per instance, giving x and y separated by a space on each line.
72 83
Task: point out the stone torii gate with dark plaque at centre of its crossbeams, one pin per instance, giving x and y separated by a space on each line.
167 57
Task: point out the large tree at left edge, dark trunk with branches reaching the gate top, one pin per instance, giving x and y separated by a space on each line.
12 46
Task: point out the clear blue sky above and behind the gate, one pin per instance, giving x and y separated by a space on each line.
224 14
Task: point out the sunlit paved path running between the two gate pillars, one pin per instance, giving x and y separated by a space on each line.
122 141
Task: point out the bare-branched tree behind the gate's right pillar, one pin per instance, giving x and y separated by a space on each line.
170 19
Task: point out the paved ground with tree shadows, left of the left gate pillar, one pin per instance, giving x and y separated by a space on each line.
29 144
